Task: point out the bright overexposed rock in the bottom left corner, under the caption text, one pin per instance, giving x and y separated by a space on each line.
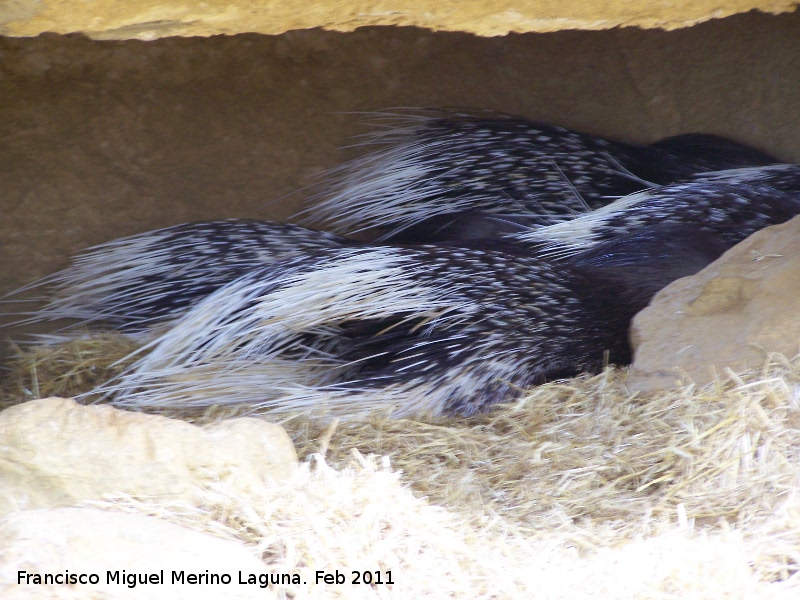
90 541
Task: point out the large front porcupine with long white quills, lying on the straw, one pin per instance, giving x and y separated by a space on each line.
431 329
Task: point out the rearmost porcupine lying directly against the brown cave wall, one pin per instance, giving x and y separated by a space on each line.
439 175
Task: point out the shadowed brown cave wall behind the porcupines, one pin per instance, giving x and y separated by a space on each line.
100 139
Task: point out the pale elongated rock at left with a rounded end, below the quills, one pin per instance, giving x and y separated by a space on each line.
56 452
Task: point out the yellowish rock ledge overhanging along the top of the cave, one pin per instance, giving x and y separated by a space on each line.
149 19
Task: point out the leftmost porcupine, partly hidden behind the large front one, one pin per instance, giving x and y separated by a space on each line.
135 282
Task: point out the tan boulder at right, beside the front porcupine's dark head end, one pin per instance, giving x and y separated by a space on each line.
733 314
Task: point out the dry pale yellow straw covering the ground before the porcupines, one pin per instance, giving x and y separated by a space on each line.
580 490
